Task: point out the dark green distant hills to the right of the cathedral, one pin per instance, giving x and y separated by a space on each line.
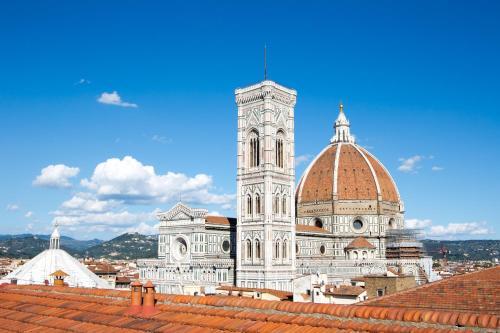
464 249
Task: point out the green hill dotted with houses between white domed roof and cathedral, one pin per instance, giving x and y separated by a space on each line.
126 246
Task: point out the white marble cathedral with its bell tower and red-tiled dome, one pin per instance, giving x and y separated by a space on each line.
345 217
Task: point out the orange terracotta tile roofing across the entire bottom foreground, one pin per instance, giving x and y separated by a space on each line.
61 309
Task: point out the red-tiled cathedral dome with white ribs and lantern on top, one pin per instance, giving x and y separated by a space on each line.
345 171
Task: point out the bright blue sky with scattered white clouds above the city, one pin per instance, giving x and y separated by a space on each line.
111 109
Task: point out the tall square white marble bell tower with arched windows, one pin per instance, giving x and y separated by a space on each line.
265 186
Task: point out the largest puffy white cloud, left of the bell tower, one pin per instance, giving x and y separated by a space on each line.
130 181
